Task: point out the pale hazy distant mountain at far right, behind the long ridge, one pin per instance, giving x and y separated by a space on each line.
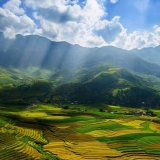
151 54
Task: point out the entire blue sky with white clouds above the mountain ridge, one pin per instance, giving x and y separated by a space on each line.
125 24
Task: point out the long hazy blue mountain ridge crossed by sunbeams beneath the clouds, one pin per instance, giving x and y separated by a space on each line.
36 51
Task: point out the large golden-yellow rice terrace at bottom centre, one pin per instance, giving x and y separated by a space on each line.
77 145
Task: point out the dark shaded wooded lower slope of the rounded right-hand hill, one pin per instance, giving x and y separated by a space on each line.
94 93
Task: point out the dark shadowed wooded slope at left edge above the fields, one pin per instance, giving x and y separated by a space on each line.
25 94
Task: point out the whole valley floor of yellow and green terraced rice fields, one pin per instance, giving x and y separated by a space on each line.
48 133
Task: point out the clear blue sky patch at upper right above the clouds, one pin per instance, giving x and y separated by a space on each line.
135 14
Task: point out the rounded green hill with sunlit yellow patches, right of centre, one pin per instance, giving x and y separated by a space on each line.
108 85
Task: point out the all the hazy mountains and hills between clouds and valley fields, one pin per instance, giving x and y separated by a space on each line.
107 74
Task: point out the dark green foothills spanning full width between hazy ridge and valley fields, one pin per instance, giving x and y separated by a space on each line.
100 84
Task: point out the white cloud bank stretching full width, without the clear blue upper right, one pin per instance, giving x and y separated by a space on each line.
66 20
